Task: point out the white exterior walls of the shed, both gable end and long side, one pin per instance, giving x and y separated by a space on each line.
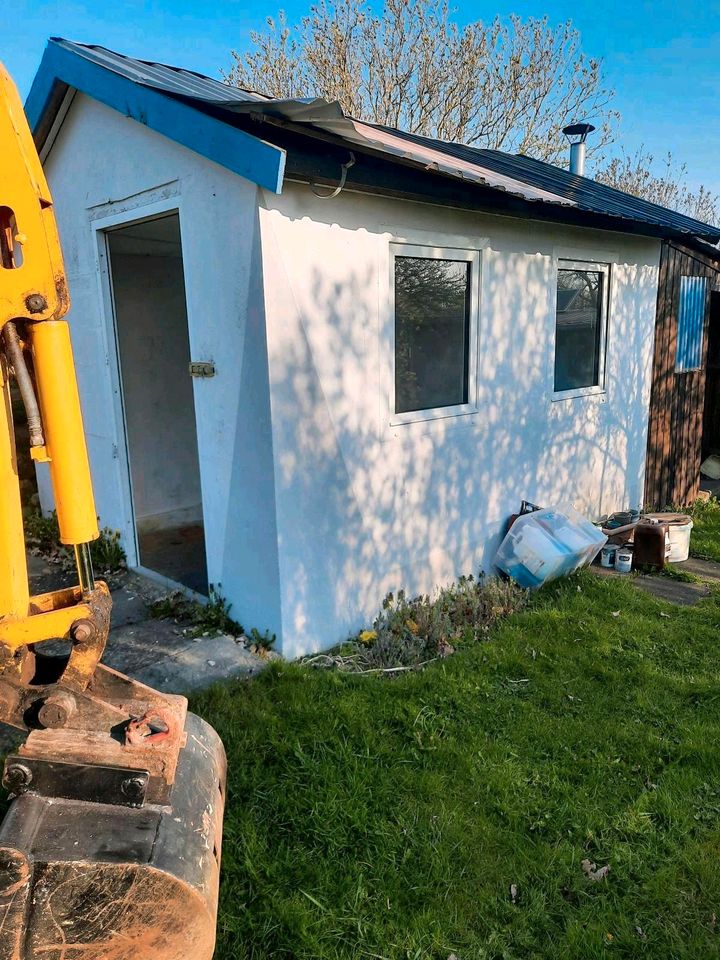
314 505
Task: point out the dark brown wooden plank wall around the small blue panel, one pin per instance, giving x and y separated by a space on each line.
674 449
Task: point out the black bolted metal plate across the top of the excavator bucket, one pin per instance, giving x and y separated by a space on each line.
119 786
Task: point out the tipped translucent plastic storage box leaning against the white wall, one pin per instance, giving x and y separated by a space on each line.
547 544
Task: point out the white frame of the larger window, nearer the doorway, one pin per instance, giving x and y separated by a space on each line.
429 252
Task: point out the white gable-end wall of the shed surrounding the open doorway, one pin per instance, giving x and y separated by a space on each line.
104 168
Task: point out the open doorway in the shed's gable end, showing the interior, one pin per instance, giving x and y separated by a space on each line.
153 347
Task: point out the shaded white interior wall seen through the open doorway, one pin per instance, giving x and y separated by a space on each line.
152 333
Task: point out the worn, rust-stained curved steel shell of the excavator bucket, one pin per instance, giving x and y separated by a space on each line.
103 881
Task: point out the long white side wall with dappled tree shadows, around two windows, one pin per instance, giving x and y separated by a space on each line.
363 508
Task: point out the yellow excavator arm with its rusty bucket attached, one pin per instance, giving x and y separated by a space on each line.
111 845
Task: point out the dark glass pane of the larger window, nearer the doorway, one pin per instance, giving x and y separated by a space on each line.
432 324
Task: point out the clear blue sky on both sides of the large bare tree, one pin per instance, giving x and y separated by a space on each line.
662 58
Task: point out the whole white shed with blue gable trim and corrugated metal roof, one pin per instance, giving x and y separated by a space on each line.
321 360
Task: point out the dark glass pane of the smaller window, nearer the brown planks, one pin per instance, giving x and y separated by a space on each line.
578 323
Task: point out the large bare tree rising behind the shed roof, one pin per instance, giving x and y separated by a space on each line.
504 85
